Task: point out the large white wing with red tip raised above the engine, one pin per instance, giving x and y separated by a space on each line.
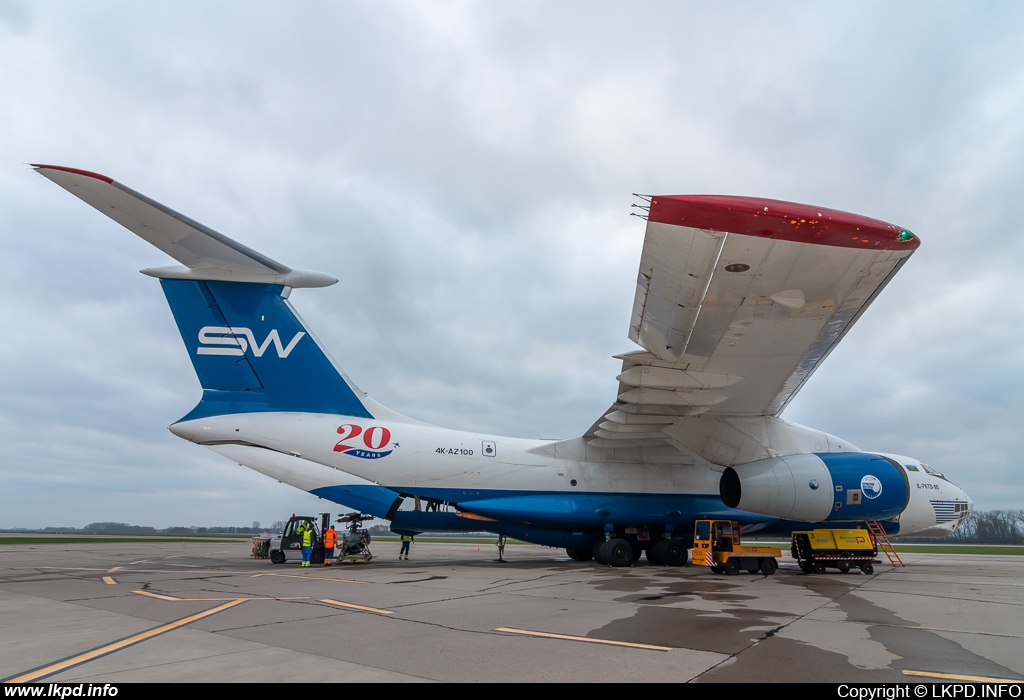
739 301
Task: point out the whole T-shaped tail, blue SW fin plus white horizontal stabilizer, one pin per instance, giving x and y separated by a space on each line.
251 351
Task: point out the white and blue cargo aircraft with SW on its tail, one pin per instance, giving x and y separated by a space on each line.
739 301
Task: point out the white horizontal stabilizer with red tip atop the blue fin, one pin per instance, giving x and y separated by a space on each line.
204 253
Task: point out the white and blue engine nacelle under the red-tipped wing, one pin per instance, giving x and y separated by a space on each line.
819 488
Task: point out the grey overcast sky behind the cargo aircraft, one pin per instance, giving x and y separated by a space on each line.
466 169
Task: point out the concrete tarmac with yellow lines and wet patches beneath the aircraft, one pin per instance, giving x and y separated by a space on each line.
101 612
